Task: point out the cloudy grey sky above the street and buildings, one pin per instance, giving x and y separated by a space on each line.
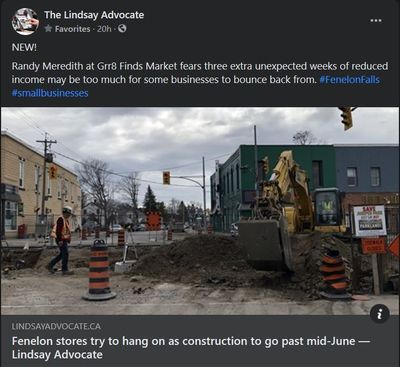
152 140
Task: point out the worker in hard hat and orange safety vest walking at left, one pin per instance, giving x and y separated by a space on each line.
63 238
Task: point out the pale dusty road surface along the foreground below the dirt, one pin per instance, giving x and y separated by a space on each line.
35 292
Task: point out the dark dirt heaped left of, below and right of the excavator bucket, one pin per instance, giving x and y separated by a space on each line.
219 260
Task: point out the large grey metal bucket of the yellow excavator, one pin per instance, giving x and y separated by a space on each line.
266 244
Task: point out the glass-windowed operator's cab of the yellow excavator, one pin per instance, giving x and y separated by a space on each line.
328 210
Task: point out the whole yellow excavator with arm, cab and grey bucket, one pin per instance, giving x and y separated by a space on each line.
284 206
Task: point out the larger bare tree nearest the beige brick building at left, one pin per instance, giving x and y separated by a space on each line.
95 179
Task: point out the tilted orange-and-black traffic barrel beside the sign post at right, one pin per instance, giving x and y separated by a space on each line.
334 275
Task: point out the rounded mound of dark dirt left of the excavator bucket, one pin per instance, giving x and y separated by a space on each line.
199 259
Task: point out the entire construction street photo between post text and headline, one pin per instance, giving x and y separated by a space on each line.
199 211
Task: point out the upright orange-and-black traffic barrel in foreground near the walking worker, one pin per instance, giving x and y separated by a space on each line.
99 280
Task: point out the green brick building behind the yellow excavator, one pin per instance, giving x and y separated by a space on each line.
233 183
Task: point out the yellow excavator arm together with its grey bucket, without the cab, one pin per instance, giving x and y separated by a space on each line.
265 236
